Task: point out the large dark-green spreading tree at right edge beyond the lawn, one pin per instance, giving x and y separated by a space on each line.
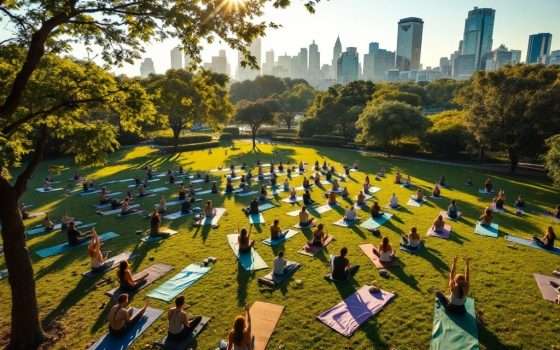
514 109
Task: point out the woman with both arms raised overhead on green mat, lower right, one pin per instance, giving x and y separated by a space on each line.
459 289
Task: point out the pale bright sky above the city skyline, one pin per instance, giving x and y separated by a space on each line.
359 22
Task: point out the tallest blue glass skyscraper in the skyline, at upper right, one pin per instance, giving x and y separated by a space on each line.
477 36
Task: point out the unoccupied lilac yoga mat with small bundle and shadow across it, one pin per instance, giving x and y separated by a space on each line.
347 316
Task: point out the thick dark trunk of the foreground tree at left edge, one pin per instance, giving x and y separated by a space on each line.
26 330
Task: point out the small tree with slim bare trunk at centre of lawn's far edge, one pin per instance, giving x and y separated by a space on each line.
256 114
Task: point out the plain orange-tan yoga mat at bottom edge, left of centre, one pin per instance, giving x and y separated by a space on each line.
264 317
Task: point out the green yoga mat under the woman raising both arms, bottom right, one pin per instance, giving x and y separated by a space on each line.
455 331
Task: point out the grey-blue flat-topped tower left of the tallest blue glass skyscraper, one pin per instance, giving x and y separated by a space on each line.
409 44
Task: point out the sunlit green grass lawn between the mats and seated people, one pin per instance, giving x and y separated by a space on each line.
507 297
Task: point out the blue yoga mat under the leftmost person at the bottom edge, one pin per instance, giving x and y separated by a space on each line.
108 342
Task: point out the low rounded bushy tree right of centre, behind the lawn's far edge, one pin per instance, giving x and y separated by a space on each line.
387 123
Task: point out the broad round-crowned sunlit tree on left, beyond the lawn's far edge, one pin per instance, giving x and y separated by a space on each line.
186 98
